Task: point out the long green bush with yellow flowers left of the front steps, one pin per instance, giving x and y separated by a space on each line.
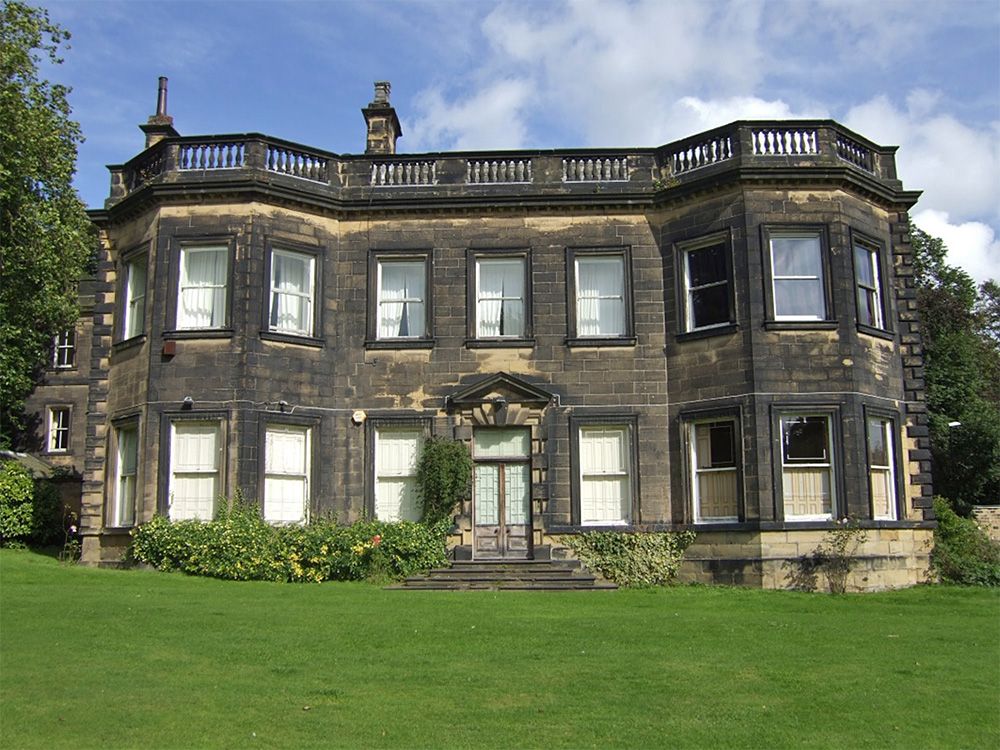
239 545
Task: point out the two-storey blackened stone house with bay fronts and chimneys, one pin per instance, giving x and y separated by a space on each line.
716 334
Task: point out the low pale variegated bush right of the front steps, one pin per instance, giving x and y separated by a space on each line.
632 560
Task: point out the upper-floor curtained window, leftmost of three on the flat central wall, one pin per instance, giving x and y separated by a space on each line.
402 295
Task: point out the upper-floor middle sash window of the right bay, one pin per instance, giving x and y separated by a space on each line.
797 275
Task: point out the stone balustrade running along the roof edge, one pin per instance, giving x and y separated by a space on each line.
746 144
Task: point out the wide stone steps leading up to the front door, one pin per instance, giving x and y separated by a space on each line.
508 575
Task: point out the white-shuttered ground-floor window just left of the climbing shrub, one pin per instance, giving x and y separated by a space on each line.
397 451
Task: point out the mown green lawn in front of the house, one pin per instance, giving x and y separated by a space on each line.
105 658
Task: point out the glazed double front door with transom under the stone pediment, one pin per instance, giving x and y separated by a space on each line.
501 496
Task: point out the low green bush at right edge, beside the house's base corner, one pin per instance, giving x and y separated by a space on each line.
962 551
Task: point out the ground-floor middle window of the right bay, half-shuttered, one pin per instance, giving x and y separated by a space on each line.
807 467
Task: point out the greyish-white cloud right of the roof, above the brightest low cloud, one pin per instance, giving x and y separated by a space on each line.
957 166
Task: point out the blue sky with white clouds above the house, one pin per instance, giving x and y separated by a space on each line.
920 74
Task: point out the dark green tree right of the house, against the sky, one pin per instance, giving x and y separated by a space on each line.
962 369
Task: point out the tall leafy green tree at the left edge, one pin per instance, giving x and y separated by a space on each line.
45 235
